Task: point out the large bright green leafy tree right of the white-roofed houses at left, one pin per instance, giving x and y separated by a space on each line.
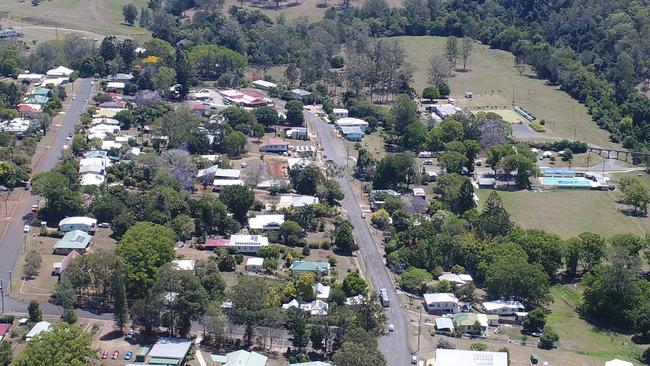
144 248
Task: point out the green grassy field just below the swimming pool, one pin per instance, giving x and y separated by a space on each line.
569 212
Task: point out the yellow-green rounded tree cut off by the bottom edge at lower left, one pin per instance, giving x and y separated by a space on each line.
64 344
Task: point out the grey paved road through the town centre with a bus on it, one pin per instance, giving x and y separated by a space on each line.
394 346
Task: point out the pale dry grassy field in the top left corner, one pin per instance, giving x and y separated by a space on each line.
102 17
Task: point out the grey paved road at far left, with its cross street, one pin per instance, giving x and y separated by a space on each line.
13 239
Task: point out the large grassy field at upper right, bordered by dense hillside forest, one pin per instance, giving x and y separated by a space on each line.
491 77
